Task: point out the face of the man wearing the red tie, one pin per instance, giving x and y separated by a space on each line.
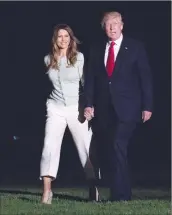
113 27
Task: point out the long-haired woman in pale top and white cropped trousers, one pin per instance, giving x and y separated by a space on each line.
65 71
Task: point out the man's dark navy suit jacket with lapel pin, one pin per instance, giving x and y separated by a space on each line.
130 86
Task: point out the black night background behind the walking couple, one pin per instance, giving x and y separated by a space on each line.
25 34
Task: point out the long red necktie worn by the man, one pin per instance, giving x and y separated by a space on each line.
111 60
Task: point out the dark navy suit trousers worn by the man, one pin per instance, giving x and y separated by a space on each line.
112 139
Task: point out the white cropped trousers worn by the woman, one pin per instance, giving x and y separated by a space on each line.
58 117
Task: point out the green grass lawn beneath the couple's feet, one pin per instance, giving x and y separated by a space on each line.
74 201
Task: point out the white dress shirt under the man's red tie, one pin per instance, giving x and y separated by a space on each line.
116 48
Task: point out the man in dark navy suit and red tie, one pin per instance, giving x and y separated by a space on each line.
118 85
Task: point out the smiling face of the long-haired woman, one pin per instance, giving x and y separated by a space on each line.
63 39
